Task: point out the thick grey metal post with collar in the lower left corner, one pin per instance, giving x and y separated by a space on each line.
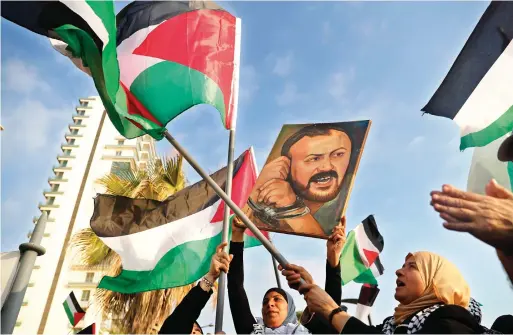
29 252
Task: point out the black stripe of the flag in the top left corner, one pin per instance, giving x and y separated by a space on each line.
42 17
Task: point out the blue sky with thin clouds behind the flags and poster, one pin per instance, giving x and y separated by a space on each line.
302 62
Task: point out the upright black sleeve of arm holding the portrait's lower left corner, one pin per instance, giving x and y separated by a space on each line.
243 320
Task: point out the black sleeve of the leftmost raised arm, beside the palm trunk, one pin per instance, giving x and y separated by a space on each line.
186 313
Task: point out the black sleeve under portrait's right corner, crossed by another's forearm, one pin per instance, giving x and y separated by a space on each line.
332 286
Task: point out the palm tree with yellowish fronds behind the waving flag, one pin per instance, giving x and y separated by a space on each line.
141 313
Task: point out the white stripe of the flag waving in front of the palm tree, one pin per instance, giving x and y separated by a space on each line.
142 251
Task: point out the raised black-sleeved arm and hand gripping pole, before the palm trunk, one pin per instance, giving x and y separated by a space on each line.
183 319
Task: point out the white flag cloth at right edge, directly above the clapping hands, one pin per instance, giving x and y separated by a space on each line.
486 166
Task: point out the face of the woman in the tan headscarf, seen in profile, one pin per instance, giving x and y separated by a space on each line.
410 285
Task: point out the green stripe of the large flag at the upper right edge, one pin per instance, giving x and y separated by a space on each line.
494 131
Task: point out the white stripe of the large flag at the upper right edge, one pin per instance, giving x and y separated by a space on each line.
491 98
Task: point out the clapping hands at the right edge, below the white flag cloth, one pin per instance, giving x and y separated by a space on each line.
487 217
